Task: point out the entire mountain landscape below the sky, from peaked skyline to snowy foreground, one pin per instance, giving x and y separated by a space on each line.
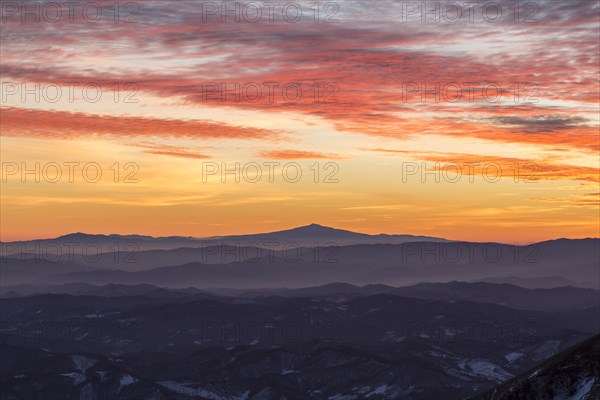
307 313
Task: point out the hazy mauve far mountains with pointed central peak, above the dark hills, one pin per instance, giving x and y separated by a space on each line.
307 256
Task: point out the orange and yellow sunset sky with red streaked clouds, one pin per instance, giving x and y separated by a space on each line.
449 119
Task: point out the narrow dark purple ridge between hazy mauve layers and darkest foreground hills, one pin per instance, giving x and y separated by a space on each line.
561 299
